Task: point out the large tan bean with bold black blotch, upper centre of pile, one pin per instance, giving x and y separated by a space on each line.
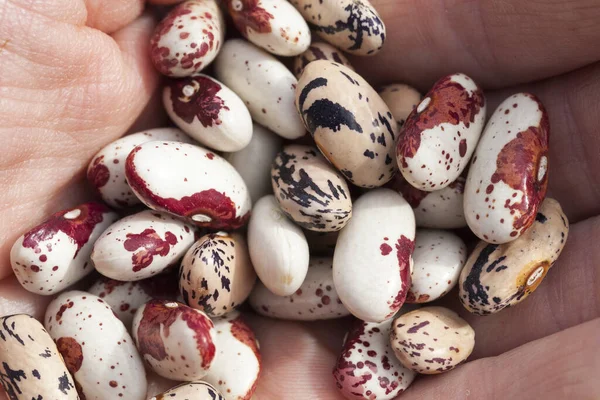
350 123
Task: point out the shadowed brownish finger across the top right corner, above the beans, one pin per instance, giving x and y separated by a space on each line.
498 43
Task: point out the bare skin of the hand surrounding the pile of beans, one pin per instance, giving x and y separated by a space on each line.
67 89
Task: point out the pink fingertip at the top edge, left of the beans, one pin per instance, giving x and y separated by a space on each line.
112 15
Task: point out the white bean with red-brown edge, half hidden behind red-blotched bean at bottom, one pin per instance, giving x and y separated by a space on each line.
238 365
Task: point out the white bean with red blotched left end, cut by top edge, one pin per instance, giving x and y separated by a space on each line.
274 25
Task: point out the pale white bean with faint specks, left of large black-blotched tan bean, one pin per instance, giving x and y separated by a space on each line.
264 83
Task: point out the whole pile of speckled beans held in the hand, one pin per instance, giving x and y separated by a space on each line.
361 217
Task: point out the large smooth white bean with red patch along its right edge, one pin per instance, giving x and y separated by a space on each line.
372 261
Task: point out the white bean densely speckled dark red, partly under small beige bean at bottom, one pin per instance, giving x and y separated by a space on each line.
367 367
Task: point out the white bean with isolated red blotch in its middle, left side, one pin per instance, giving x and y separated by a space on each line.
141 245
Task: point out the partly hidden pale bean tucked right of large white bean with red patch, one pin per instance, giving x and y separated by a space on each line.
438 259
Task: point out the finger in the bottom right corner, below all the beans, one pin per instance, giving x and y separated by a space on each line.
562 366
